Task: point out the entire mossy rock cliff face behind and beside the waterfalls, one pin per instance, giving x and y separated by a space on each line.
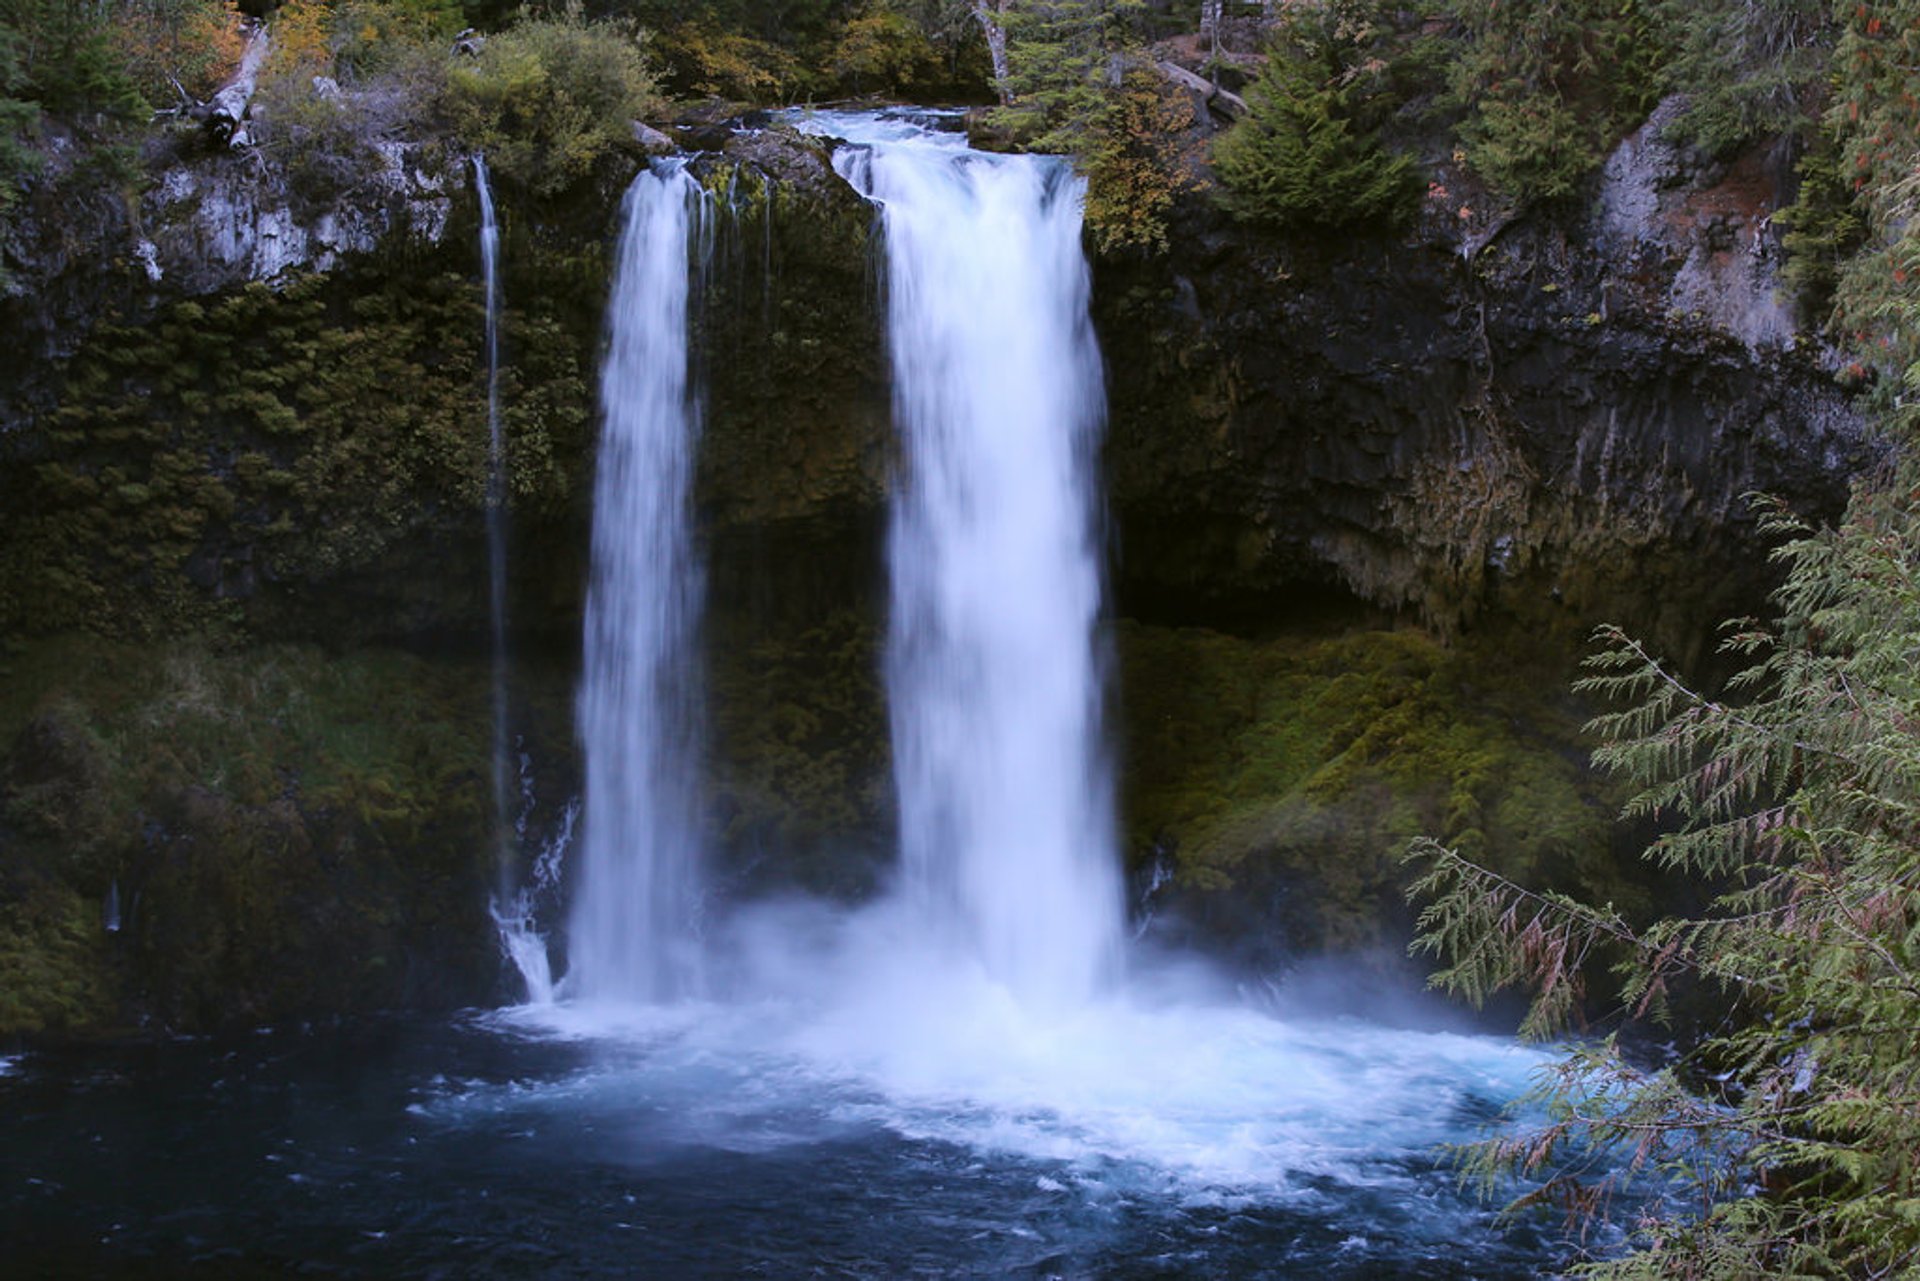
251 422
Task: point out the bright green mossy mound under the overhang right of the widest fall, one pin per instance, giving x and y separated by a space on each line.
1312 760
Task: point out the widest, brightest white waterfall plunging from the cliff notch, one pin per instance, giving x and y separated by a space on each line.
994 679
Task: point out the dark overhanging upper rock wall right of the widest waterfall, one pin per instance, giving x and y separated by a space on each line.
1552 420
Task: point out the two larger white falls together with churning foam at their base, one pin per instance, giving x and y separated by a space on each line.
976 1007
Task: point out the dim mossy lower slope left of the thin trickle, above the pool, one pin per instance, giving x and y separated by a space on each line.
291 831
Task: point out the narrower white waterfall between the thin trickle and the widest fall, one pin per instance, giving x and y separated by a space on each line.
636 906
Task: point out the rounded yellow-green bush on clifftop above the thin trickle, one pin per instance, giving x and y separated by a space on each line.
550 99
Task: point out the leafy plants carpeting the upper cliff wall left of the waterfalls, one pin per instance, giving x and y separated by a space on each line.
283 435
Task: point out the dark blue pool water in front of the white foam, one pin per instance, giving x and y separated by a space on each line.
471 1151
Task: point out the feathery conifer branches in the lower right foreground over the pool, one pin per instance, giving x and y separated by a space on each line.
1792 800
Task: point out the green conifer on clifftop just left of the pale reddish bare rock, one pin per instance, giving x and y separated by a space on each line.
1550 87
